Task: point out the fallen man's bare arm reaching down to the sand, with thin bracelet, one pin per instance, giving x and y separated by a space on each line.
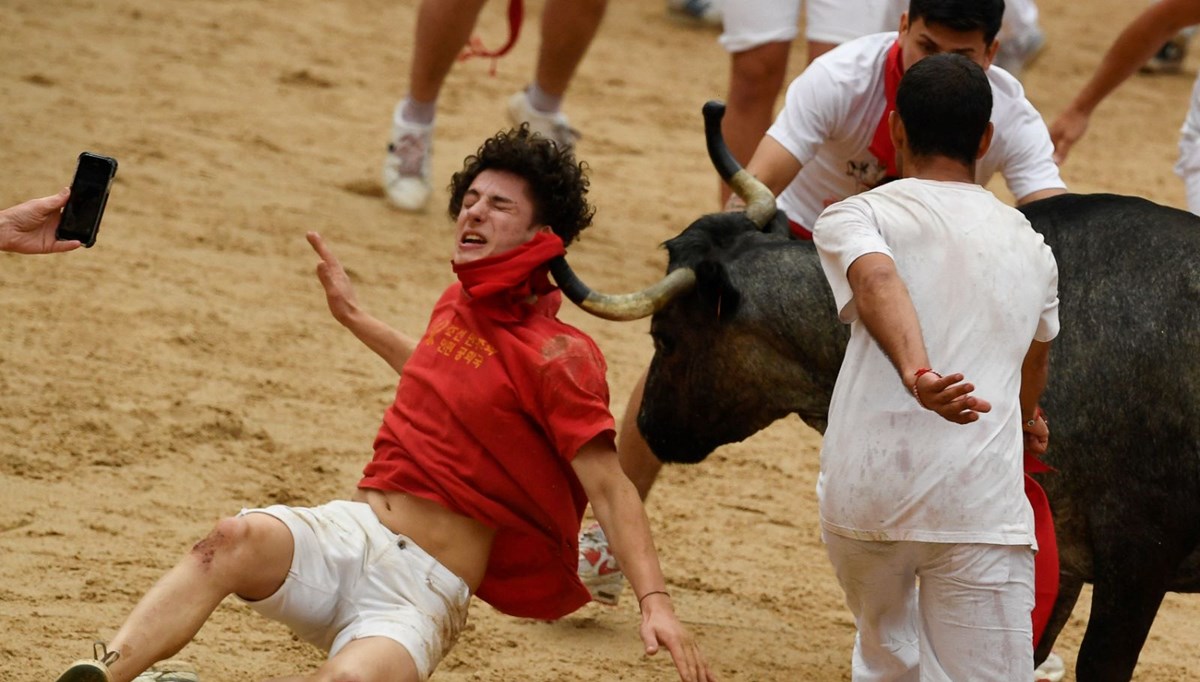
620 512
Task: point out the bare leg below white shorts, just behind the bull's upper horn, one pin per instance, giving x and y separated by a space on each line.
757 77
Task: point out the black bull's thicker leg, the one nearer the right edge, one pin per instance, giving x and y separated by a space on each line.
1125 600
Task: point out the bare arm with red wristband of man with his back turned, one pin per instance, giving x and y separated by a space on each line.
886 310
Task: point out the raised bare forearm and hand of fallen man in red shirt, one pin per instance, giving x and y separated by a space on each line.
389 344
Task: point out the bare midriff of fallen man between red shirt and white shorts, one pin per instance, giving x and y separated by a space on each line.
459 543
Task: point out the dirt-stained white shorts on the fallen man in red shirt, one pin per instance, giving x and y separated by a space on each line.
352 578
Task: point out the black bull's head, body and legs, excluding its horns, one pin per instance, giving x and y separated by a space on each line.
758 339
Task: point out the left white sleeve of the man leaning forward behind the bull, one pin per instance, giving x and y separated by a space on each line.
814 107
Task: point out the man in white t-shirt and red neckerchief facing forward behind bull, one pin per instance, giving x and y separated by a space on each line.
831 140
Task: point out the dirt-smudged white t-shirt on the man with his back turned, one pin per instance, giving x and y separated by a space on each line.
985 286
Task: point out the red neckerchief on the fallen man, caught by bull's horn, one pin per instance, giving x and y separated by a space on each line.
509 280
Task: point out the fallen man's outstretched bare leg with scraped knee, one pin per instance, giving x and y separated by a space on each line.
248 557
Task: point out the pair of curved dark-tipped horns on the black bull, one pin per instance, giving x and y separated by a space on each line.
637 306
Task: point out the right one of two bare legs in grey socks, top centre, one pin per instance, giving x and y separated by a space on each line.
567 31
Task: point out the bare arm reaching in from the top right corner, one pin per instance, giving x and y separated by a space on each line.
1137 44
